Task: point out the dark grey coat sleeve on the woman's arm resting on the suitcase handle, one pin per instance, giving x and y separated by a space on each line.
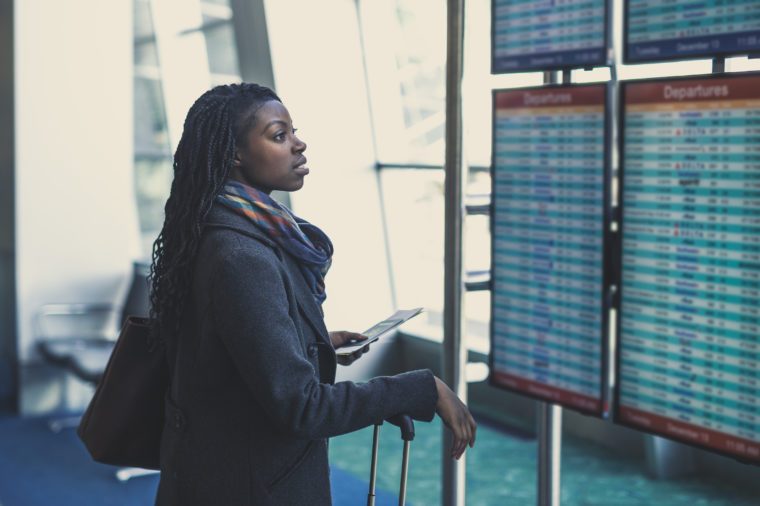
250 307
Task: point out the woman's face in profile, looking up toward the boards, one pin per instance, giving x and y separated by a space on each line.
271 157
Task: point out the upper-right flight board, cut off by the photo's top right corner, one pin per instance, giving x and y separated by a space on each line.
682 29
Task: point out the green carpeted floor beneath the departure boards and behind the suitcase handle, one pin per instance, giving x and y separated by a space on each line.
502 471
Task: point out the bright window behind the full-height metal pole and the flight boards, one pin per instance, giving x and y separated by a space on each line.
405 50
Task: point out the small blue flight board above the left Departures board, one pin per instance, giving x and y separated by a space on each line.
548 34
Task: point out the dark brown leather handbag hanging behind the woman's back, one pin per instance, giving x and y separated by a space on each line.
123 422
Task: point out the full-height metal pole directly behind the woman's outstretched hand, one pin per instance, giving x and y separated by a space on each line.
453 358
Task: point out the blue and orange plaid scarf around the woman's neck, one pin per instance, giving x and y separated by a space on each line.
306 242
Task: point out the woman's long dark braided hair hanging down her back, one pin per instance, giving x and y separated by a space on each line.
215 125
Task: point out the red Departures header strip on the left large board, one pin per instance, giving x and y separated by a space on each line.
555 96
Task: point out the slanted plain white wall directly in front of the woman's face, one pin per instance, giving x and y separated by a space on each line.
319 74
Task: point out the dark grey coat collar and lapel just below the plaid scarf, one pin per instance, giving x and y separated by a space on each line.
222 217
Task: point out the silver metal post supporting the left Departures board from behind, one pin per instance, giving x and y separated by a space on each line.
549 420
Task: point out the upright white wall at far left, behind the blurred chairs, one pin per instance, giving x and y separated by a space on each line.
76 221
